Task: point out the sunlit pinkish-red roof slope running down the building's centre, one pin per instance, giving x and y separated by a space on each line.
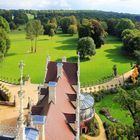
56 123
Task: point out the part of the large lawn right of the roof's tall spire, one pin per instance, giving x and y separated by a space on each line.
100 65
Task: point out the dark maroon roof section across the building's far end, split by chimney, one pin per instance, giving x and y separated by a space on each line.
69 68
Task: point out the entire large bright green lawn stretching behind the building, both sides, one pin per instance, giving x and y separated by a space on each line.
61 45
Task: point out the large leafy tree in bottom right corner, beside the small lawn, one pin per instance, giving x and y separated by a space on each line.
131 102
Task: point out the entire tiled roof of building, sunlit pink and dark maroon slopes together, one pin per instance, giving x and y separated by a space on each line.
62 112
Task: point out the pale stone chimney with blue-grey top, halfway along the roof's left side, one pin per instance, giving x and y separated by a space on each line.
52 91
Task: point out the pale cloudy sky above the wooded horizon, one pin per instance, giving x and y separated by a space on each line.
125 6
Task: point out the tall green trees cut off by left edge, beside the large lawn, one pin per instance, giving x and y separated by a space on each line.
4 38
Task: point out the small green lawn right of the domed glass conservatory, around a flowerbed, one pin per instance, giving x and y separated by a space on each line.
115 110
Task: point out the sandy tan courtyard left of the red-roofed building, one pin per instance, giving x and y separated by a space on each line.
9 115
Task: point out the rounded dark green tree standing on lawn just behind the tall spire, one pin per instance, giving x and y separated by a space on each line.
86 47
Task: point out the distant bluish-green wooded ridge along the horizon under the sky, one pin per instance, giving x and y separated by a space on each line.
80 14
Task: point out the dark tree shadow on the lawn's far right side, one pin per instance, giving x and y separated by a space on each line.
117 55
